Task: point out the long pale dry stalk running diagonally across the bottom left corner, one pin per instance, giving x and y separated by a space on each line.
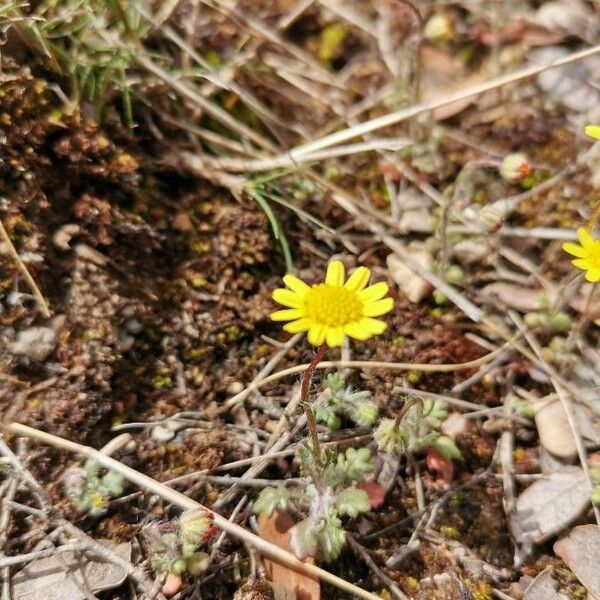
178 499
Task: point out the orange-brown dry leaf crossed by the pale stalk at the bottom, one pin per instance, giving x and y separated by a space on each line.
276 530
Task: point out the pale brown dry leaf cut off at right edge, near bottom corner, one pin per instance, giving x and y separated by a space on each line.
580 550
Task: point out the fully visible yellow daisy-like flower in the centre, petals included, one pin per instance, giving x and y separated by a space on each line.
332 310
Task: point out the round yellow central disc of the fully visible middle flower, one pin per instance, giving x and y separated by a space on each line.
332 306
